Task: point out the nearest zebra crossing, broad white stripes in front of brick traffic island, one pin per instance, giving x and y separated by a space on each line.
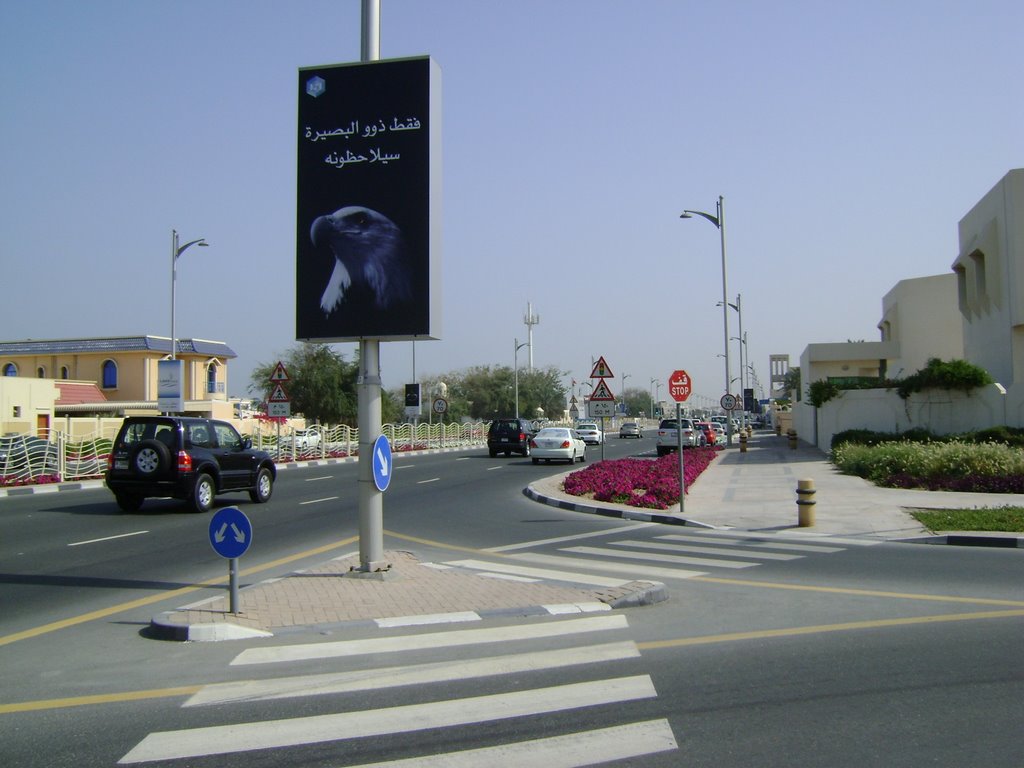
591 650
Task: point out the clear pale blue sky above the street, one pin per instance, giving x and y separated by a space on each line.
847 140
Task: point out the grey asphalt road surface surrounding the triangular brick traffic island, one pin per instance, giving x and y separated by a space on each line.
771 652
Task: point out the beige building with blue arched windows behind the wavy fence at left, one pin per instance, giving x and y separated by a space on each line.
119 373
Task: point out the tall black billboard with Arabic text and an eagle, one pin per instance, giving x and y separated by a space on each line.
368 231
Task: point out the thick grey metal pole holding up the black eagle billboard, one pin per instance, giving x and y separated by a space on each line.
371 500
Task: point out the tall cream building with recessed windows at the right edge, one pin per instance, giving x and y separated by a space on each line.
990 274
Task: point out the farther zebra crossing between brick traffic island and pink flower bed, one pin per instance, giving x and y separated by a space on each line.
668 557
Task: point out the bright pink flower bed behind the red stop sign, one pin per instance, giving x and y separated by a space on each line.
639 483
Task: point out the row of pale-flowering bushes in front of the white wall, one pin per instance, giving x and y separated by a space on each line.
952 466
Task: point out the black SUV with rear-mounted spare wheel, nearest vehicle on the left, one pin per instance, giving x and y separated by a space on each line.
186 458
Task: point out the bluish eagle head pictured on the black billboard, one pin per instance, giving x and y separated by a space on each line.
370 259
